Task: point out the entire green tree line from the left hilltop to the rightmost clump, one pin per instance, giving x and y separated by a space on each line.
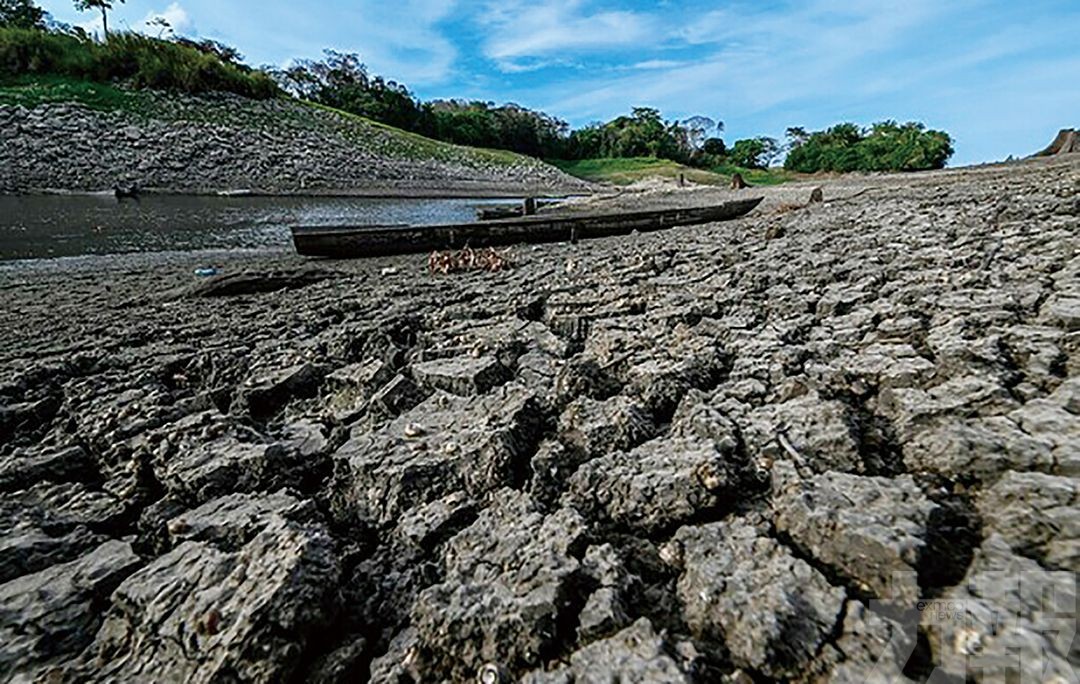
31 43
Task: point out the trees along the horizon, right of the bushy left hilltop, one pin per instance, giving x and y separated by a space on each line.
343 82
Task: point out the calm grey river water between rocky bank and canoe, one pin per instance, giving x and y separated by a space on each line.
65 226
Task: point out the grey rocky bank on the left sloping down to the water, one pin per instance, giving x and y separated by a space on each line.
226 143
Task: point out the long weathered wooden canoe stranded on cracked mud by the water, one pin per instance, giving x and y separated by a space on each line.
363 242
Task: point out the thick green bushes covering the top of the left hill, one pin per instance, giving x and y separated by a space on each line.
137 60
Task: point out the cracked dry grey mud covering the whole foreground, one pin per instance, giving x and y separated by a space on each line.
731 453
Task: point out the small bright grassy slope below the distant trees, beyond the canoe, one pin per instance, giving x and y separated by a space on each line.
627 171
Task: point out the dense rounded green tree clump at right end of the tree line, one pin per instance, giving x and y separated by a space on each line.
886 146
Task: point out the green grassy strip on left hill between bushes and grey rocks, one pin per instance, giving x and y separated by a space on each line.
265 115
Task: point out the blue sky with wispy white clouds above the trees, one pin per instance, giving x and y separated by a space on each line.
1001 76
